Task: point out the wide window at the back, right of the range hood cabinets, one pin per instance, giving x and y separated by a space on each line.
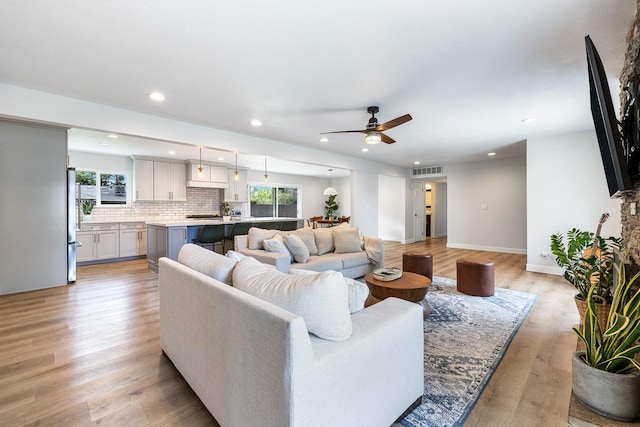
274 201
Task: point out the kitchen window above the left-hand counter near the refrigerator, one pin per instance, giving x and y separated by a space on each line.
111 191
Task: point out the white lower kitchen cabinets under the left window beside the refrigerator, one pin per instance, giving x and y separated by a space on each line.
99 241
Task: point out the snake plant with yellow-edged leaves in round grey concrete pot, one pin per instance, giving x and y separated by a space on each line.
606 376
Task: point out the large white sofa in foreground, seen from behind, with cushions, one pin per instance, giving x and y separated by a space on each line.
253 363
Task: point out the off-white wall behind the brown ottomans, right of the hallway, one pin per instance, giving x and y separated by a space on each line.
500 184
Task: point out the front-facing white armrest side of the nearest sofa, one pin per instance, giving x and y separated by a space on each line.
382 365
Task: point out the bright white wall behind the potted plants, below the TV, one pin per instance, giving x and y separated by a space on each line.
566 188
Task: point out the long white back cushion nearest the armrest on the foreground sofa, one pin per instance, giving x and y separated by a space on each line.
321 300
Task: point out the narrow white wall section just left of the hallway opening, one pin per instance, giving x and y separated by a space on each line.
391 208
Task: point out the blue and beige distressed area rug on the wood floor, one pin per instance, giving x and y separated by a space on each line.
464 338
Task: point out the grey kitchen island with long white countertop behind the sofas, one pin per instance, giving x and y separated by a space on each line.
165 238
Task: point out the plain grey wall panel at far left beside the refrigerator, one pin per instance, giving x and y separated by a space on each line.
33 207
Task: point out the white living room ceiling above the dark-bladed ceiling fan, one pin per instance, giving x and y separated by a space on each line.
467 71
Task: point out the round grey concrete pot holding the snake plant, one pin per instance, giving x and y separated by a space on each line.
615 396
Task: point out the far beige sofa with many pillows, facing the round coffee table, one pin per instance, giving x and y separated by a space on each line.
338 248
